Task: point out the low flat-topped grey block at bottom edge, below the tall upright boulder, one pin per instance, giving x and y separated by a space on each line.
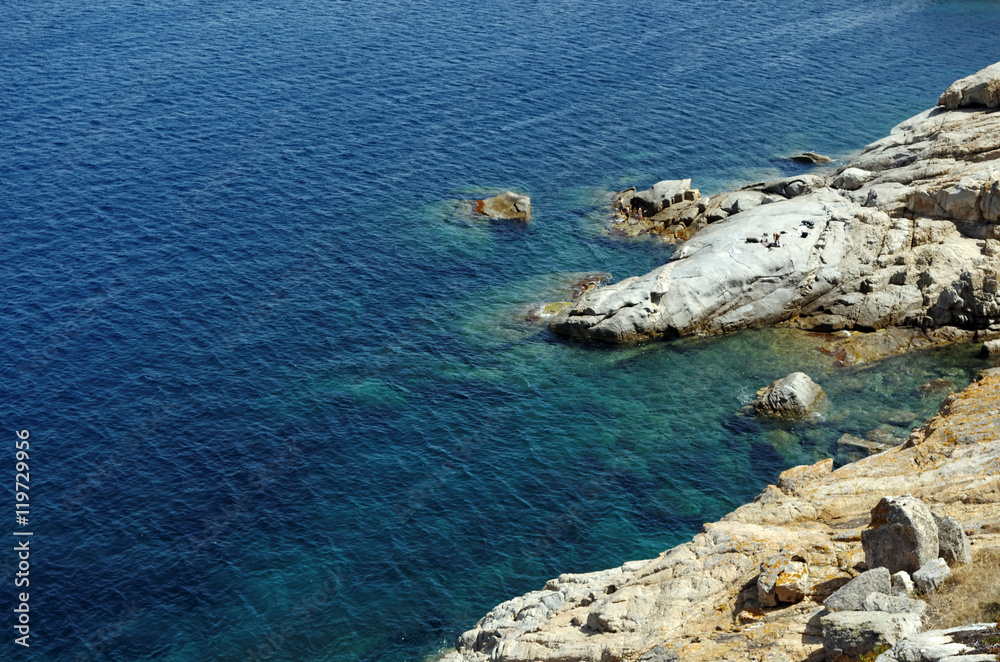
849 634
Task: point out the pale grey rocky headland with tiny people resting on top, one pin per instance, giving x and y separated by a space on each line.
905 235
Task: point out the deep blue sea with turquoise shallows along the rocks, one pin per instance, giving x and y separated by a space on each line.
281 404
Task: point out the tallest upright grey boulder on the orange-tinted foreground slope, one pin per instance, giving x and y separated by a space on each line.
902 535
